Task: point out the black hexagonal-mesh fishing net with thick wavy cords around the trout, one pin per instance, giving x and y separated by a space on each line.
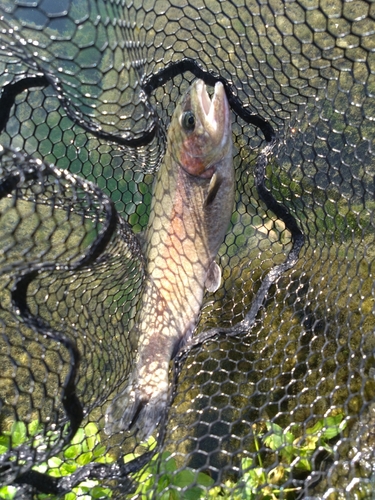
274 397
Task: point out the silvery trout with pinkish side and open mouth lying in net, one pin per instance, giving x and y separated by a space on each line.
191 208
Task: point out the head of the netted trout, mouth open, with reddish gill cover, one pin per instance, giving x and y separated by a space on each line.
200 133
